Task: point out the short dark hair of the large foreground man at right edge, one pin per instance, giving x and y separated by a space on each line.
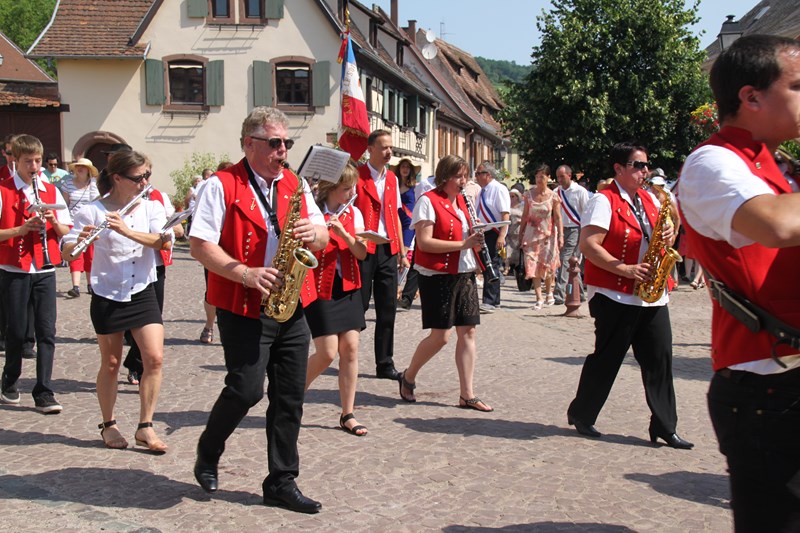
750 60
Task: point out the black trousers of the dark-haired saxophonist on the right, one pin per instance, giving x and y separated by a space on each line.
617 328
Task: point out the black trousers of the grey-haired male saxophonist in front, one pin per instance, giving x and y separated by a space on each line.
254 348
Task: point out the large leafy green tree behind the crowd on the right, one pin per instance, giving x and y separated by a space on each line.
608 71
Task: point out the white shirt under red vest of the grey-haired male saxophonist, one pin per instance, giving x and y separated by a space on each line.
209 213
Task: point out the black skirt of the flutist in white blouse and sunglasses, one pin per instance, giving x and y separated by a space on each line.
110 316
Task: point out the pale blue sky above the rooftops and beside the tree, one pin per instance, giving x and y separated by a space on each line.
506 29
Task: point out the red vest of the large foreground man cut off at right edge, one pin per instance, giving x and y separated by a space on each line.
766 276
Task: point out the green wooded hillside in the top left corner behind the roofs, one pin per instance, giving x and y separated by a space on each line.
23 21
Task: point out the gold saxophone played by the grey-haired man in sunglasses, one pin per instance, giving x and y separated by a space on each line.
293 261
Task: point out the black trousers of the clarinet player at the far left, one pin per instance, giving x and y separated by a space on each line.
19 291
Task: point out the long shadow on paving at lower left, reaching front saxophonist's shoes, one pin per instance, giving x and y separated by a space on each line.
108 487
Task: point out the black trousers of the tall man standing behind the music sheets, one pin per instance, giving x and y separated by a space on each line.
379 277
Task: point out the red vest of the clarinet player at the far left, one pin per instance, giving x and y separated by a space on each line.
20 251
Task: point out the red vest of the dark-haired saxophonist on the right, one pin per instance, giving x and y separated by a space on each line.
623 239
